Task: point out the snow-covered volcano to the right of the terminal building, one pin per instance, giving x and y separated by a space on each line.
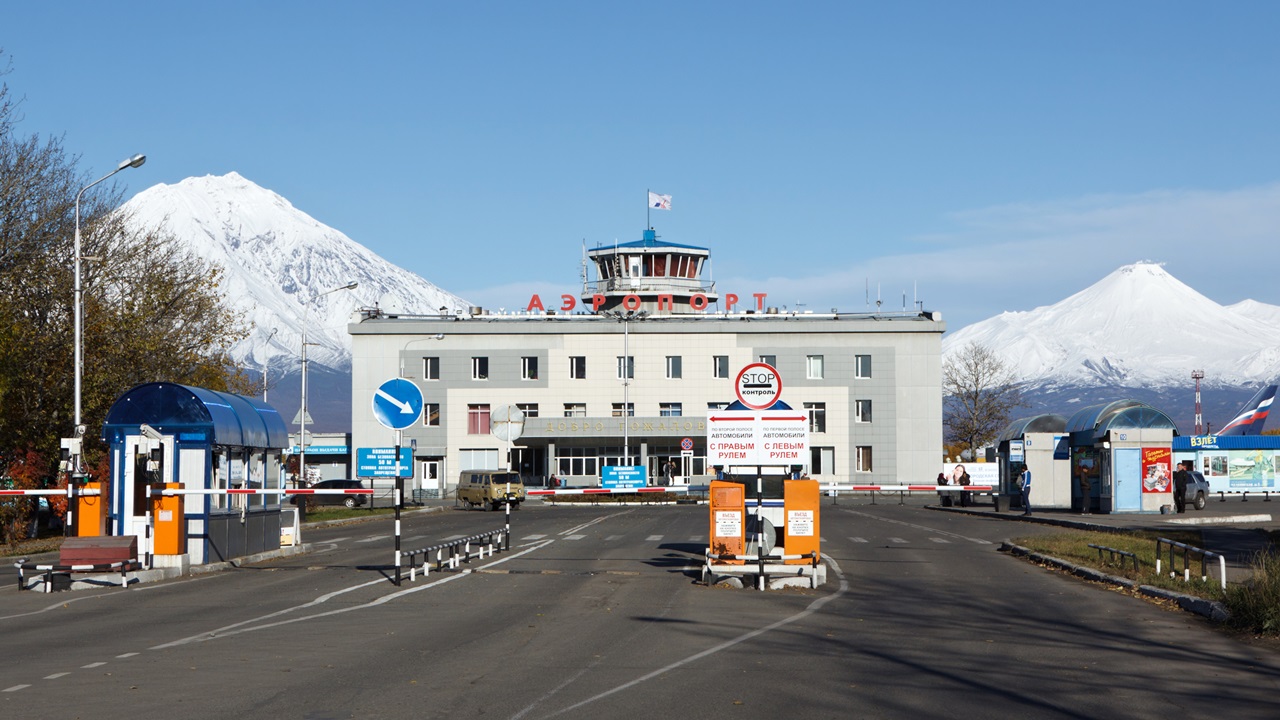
1137 327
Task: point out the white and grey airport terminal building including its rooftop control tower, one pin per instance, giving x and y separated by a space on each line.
625 373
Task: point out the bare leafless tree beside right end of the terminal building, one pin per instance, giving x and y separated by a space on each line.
980 393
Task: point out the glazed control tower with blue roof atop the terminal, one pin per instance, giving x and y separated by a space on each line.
666 277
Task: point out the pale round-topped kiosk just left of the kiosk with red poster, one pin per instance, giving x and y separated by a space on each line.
1041 444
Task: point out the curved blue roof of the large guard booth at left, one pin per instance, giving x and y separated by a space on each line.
230 420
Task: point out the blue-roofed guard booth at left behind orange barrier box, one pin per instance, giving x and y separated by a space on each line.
193 439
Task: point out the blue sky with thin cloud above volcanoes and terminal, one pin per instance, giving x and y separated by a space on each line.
981 157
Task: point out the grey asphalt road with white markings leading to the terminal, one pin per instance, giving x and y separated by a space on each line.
597 613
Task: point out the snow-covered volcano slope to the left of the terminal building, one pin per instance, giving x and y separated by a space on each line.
280 265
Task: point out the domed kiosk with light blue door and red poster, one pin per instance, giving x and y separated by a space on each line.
1124 452
